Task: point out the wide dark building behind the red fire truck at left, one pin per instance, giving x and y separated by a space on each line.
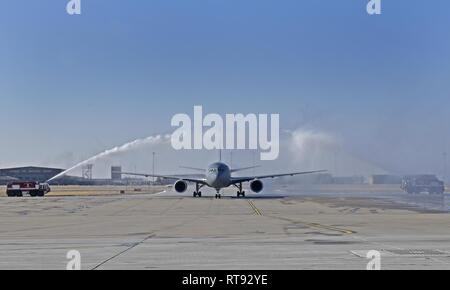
29 173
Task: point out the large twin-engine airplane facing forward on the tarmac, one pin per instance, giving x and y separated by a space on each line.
218 176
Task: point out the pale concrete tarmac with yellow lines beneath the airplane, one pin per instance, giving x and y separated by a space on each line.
275 230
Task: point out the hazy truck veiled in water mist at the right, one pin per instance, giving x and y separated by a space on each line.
414 184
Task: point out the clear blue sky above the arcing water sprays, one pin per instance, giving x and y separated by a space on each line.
81 84
